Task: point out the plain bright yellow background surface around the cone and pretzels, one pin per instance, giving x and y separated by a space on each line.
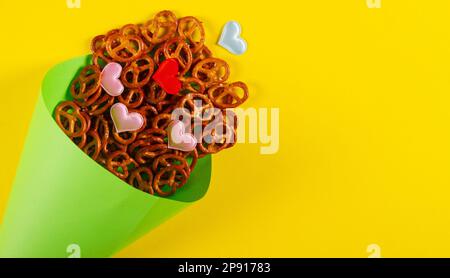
364 98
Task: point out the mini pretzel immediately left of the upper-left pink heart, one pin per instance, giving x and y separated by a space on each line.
86 84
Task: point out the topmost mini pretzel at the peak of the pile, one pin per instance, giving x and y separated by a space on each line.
161 28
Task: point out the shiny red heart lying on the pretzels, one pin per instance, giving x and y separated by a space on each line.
167 76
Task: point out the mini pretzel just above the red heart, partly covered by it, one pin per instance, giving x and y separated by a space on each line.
178 49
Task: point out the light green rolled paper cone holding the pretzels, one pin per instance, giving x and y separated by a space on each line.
62 197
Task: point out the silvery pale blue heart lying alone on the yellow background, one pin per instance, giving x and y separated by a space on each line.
231 38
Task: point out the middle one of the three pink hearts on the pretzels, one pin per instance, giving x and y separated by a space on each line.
125 121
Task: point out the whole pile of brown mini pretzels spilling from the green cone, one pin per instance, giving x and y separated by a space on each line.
142 158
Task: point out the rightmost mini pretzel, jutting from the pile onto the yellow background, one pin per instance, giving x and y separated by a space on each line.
225 96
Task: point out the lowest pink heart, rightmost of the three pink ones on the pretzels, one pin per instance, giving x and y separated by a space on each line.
179 139
